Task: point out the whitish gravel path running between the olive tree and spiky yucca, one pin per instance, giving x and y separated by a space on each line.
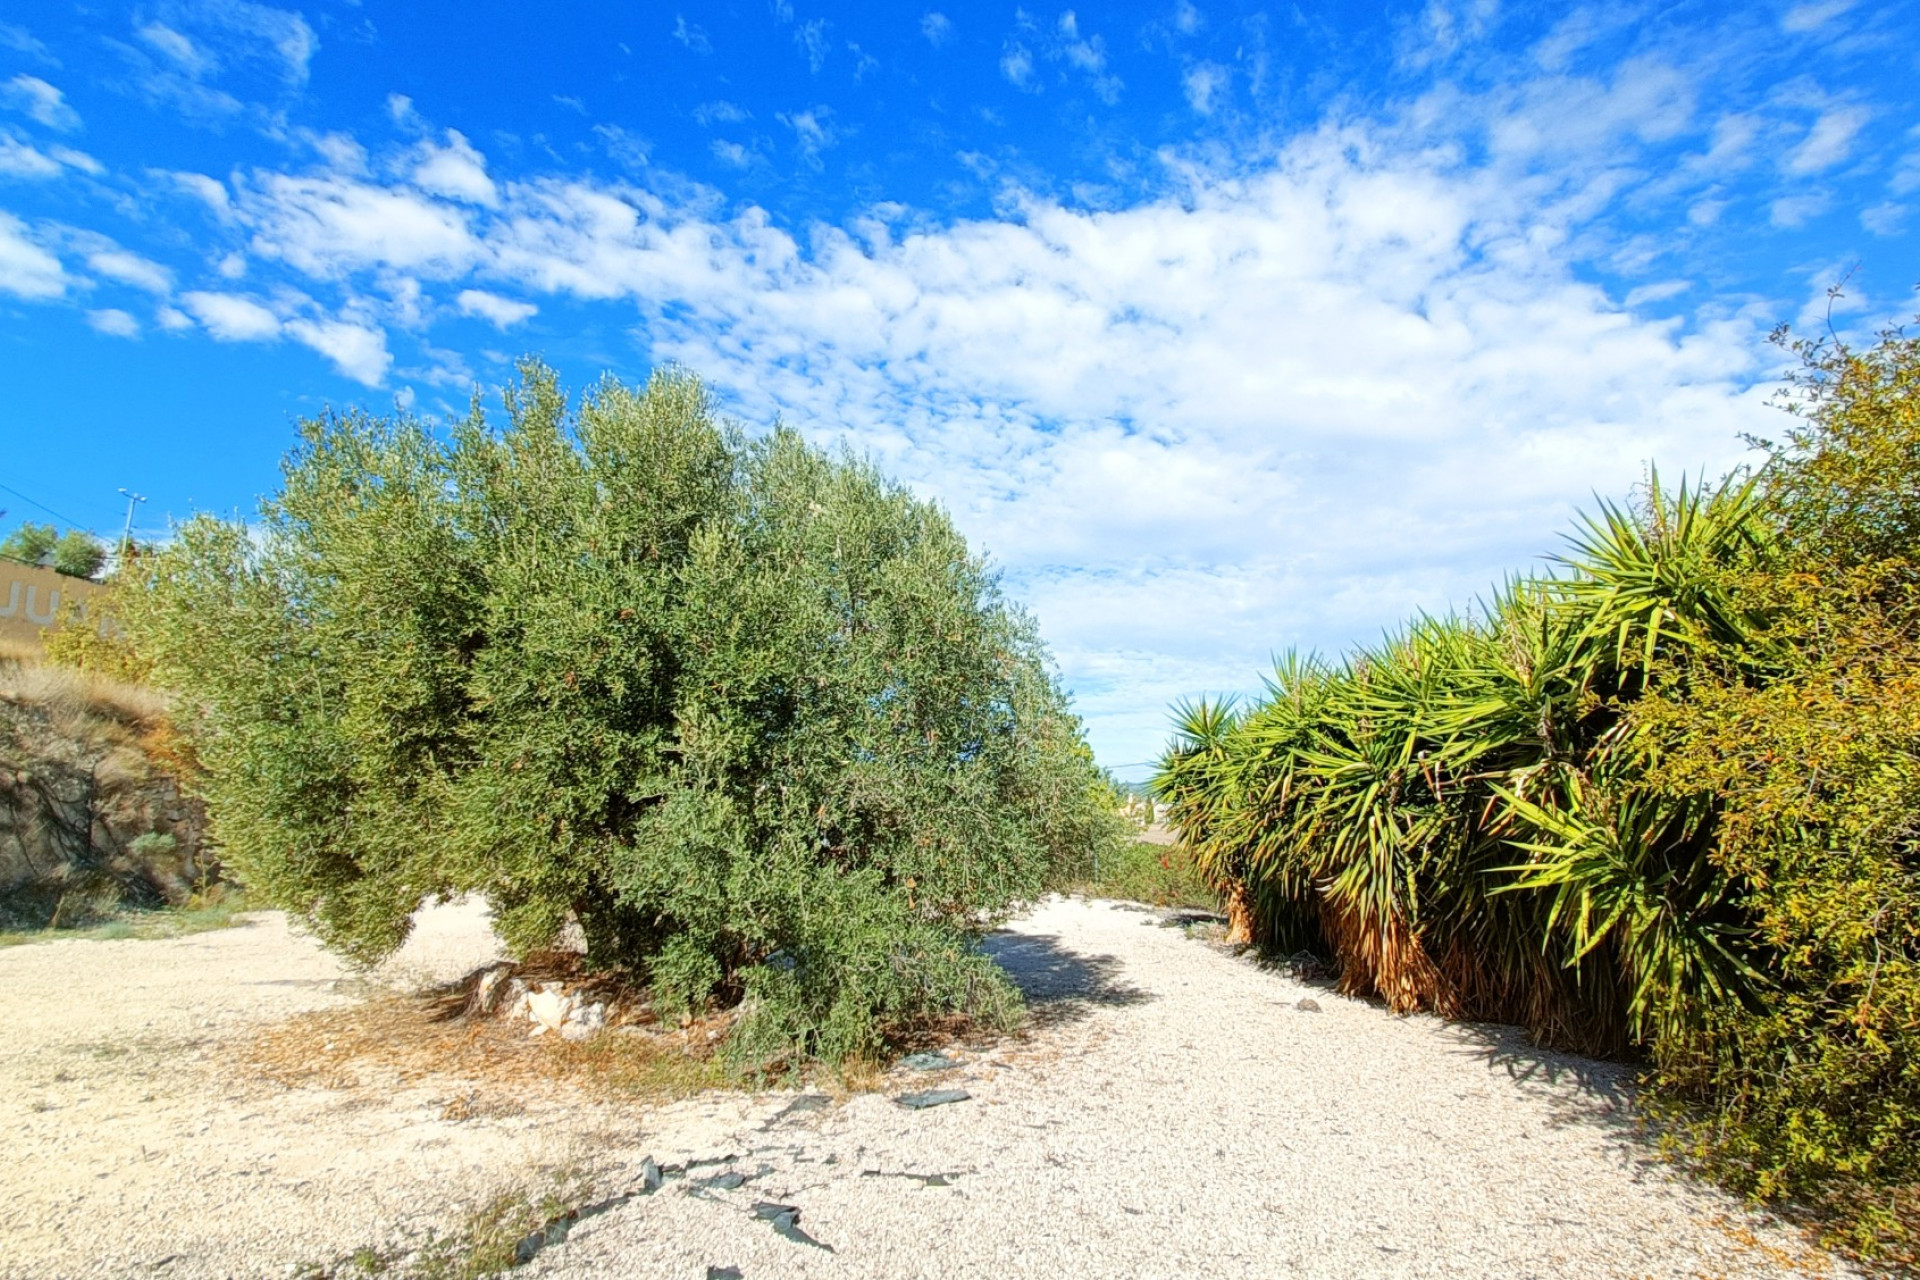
1184 1116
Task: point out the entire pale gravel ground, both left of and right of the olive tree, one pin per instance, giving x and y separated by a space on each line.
1176 1112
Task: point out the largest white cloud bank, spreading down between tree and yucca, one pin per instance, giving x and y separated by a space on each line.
1299 398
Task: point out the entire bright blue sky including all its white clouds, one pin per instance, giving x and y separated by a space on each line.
1222 327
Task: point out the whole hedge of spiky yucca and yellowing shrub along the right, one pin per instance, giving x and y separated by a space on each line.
1664 801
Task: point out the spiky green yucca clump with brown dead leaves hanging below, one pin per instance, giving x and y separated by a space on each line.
1429 807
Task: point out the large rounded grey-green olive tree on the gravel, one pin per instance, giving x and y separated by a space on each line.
752 717
